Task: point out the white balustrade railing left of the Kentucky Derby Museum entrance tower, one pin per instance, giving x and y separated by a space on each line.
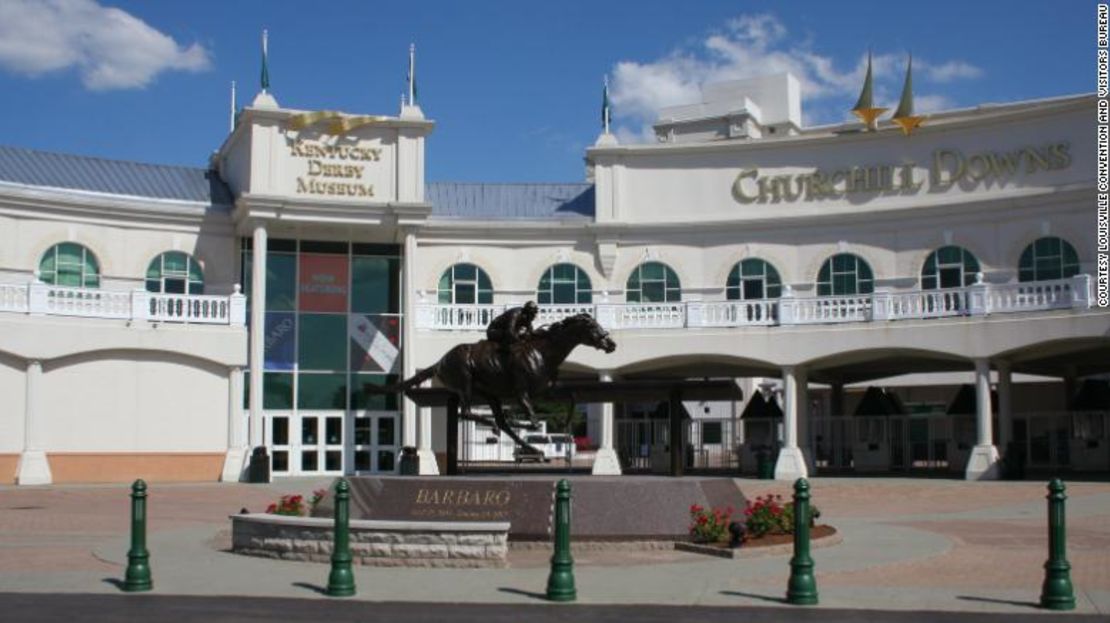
38 298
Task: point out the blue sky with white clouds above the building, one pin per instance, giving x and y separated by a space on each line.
514 86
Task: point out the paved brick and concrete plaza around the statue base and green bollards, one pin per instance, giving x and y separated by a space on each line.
907 546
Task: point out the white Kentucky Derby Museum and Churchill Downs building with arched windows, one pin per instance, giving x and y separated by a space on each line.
886 300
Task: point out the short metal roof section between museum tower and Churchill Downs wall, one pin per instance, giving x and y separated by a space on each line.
477 200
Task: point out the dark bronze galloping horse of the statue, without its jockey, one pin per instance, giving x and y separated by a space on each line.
480 369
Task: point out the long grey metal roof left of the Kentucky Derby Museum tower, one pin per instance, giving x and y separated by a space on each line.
116 177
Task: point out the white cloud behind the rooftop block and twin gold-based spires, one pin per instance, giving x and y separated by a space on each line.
759 45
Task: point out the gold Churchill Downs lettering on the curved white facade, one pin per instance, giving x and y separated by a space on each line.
947 167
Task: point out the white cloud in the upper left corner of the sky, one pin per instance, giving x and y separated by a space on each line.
110 48
